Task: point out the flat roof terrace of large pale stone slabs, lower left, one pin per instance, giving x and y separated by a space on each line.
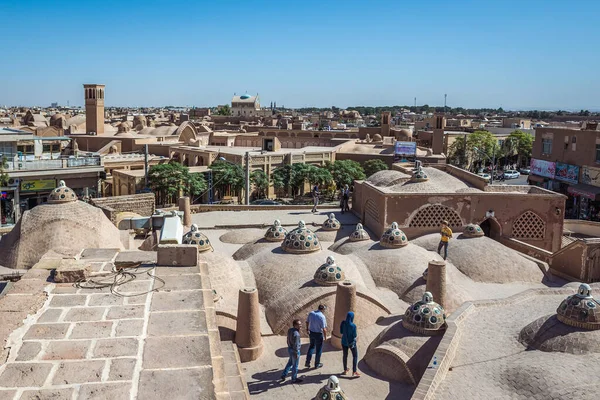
91 344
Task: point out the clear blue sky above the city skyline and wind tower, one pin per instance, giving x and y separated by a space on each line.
516 54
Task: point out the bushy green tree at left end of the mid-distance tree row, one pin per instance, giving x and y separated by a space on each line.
172 179
